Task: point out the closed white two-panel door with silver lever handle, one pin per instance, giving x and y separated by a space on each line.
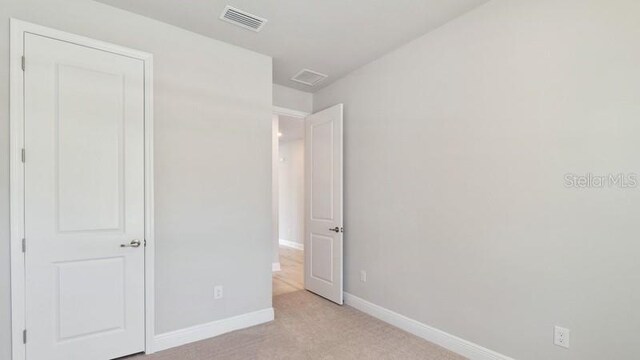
84 197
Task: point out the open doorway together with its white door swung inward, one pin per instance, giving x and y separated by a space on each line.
307 170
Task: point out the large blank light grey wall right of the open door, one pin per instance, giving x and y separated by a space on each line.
456 149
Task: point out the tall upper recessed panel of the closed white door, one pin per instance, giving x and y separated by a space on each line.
90 164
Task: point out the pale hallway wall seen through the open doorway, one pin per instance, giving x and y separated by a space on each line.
291 179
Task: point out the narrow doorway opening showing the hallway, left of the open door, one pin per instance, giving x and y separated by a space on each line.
288 275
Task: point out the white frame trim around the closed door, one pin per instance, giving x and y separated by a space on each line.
16 172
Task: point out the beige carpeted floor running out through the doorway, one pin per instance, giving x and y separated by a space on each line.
308 327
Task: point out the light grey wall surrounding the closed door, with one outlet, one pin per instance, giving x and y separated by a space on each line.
212 208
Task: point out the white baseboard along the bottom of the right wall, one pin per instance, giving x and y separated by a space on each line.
439 337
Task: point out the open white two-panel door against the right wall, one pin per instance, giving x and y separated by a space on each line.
323 203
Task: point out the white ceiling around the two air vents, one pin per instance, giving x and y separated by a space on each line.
332 37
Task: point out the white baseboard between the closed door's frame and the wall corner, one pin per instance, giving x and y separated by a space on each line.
212 329
